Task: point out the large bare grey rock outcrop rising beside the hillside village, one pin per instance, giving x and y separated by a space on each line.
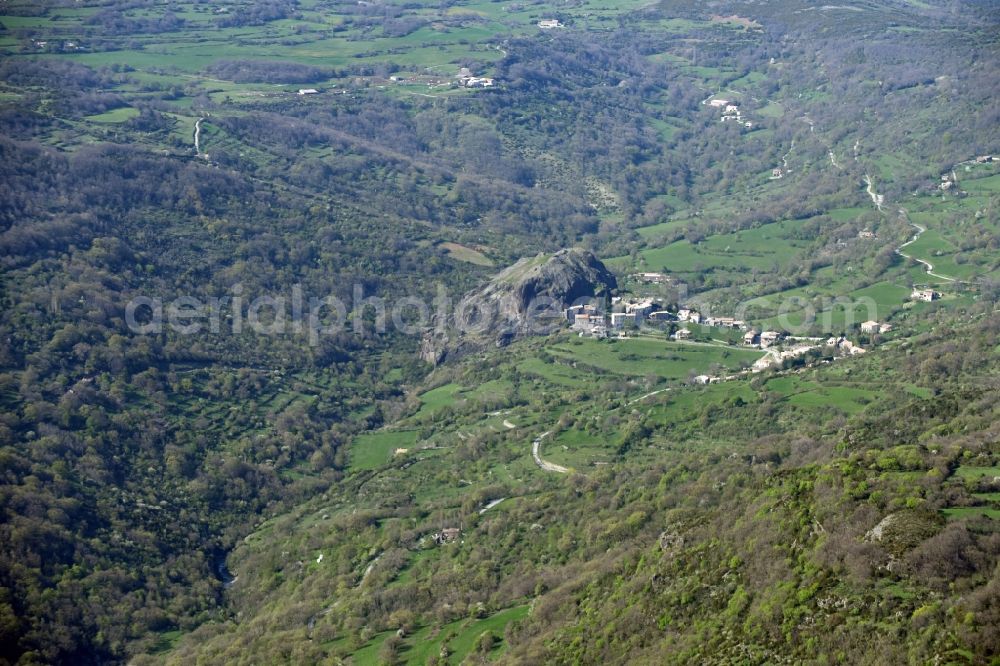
526 298
